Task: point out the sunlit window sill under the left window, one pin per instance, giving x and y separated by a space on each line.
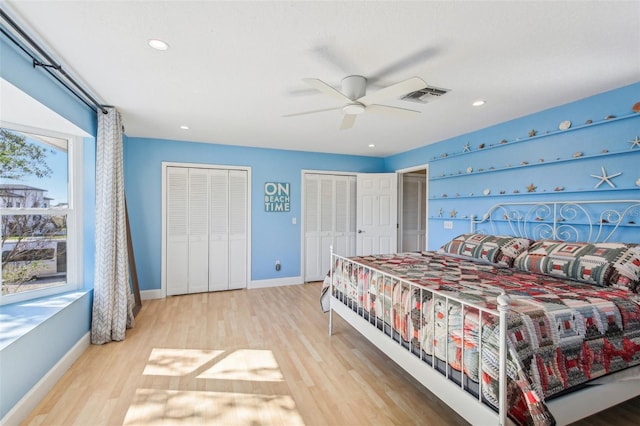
18 319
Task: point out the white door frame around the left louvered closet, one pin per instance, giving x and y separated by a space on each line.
165 164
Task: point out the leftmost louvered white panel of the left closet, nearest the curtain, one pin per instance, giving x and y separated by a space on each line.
177 226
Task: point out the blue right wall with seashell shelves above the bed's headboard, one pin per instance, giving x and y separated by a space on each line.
549 158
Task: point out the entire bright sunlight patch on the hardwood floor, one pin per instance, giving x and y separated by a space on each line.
239 387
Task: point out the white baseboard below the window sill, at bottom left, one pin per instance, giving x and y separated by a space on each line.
28 402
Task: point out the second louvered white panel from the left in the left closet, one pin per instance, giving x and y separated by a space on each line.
198 230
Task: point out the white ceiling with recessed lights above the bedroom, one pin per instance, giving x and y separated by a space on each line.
234 68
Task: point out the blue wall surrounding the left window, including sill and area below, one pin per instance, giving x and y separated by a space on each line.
48 330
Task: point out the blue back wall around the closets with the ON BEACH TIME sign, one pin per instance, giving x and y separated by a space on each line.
273 234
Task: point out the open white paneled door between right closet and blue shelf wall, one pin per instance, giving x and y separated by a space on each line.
377 212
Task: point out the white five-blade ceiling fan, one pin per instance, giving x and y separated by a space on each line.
356 101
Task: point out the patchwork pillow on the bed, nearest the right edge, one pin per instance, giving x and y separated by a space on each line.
603 264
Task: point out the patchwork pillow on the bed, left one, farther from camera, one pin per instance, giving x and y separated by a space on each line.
501 250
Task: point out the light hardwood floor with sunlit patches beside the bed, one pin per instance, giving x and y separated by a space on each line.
247 357
